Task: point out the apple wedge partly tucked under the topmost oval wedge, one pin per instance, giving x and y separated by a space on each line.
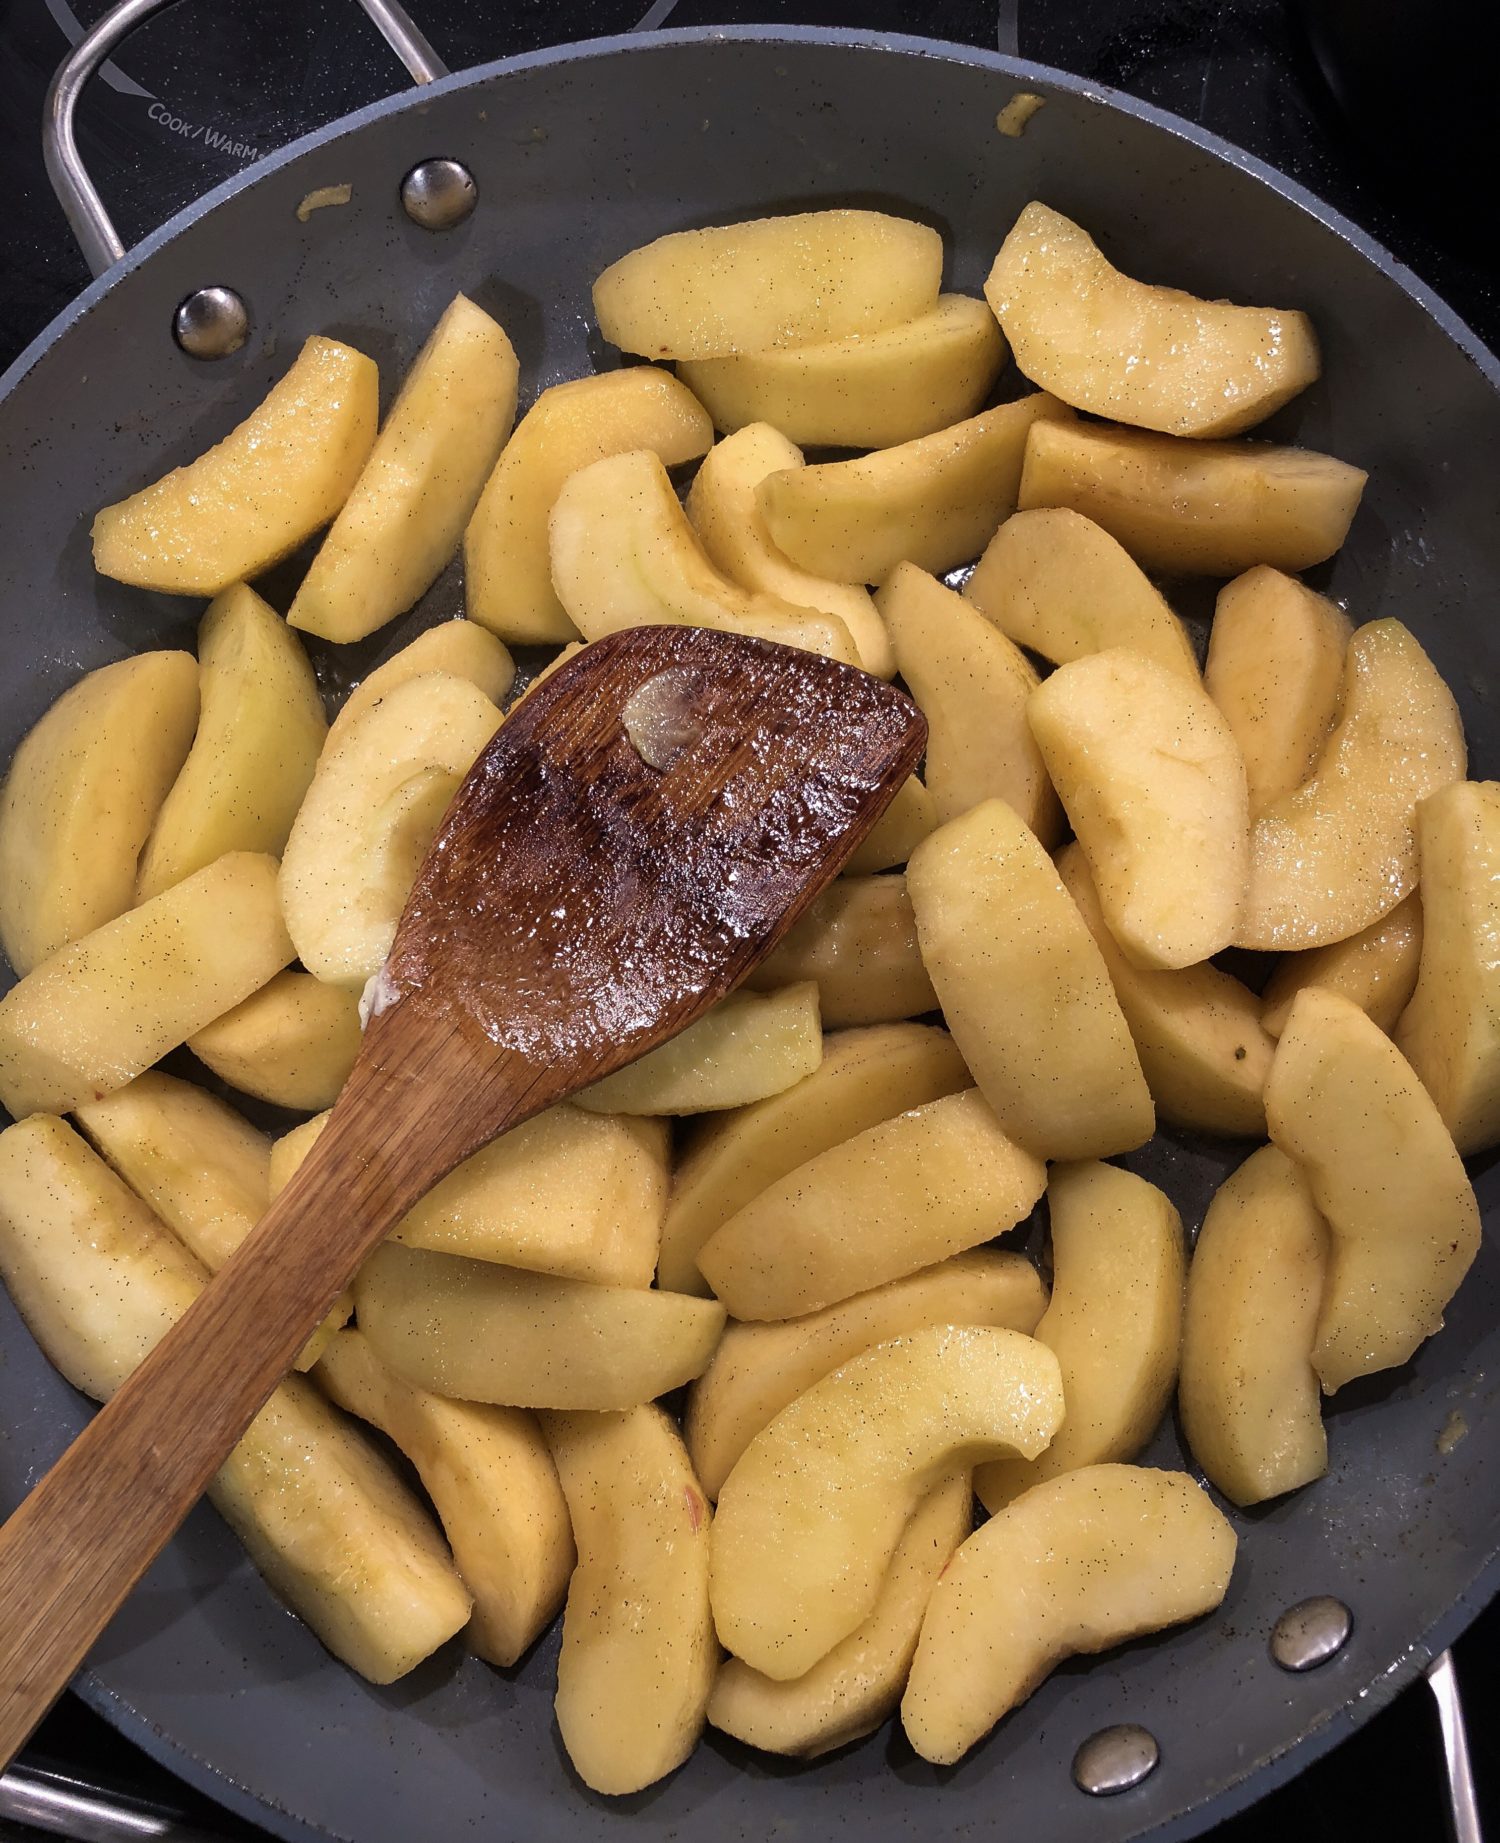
863 392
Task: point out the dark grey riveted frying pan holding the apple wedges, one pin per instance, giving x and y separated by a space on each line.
581 154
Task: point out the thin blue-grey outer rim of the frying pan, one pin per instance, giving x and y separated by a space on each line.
1276 1768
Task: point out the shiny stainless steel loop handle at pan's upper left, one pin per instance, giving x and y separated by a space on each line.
78 194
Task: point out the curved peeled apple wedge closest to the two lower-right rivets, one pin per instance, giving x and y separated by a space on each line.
1081 1564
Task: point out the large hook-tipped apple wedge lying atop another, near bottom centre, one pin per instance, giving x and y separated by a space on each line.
814 1514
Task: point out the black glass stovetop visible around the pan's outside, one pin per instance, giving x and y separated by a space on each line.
209 86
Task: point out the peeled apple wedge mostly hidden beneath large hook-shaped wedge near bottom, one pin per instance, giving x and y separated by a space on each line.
852 1689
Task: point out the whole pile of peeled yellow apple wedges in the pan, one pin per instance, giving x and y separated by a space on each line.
1020 976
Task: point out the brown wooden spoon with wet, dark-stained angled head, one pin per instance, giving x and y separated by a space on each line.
635 839
